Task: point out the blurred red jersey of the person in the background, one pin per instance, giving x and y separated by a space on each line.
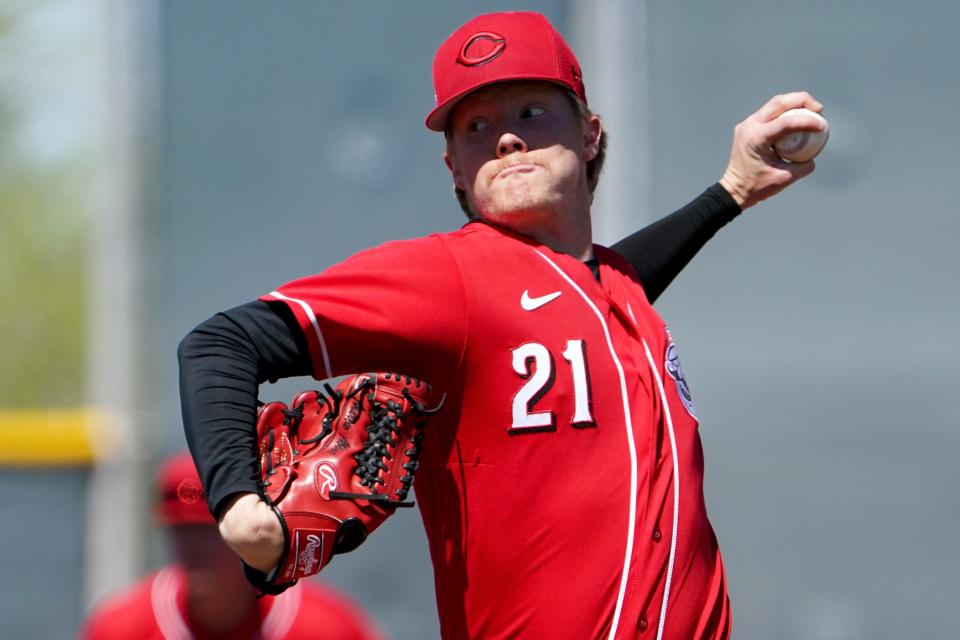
155 609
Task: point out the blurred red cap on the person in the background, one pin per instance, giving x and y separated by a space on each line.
180 498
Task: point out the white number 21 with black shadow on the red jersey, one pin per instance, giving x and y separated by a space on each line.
534 363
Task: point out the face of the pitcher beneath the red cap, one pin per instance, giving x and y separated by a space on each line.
519 150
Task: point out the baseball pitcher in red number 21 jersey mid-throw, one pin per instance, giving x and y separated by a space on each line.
539 404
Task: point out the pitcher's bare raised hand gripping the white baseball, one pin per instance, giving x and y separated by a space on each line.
755 172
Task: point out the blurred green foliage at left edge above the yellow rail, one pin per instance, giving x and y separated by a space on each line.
43 280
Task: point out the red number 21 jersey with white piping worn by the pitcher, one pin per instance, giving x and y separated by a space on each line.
561 485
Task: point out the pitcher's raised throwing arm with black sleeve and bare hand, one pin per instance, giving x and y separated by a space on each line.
660 251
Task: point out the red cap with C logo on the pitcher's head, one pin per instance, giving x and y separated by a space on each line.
514 45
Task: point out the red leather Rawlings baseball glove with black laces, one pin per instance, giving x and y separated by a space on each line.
335 465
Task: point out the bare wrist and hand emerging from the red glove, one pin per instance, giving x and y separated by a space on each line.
251 528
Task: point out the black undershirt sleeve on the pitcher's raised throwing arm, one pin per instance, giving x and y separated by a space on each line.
661 250
